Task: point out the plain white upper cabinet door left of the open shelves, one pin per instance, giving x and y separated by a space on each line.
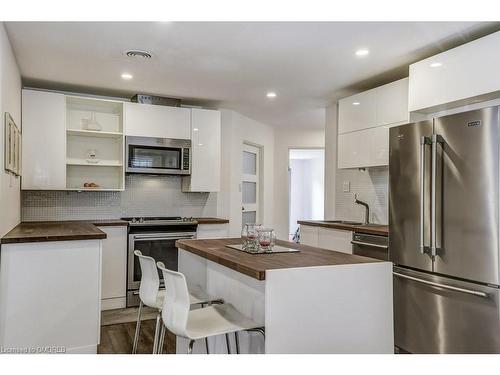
44 141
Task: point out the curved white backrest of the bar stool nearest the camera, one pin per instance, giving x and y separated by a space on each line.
176 306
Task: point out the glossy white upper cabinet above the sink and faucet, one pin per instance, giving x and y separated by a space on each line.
364 120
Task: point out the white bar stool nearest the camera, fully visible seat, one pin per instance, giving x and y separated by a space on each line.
201 323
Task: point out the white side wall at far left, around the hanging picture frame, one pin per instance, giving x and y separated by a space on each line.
10 101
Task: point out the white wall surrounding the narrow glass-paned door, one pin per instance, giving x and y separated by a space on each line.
236 130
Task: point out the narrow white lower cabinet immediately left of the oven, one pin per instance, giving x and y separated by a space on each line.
114 267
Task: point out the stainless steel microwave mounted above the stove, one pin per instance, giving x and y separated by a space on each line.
158 155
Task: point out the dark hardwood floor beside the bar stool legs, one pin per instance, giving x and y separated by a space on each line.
118 339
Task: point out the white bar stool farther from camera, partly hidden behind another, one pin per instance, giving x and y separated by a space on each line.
151 295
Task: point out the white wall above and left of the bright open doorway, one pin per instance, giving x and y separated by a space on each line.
285 140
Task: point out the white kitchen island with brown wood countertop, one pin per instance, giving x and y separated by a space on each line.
312 301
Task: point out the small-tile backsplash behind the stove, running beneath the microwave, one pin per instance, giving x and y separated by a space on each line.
144 195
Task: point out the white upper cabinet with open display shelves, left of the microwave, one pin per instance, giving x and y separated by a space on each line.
71 143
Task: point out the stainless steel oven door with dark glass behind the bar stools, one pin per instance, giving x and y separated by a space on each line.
160 246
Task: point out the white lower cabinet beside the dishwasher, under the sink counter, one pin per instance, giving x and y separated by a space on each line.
326 238
